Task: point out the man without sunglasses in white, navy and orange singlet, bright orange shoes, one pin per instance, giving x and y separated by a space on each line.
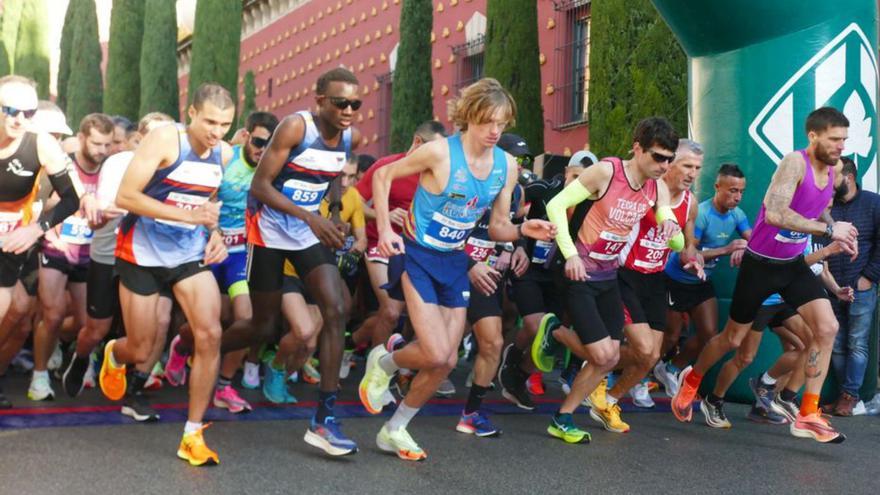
164 240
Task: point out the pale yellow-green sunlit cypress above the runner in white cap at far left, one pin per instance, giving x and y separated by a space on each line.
32 47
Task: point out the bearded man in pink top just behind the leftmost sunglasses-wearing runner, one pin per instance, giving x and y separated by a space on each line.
64 260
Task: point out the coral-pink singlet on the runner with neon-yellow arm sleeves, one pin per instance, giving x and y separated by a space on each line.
610 219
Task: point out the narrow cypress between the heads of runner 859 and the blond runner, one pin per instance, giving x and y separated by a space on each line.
411 91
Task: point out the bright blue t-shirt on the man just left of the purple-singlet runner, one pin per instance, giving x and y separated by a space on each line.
712 230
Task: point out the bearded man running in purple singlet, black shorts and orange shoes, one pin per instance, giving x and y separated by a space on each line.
799 193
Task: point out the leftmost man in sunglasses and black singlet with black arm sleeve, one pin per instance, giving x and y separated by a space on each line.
24 156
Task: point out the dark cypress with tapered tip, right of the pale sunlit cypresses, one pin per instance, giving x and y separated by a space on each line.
85 87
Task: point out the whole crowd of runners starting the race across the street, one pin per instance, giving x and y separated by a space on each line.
151 253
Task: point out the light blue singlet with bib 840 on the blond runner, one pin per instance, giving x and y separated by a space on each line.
443 221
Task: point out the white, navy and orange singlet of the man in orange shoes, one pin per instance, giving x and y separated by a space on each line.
187 183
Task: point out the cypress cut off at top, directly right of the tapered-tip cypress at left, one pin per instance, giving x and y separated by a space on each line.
122 96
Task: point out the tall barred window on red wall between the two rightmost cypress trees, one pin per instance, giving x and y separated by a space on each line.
573 62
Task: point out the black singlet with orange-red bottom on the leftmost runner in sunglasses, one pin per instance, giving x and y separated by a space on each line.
19 184
